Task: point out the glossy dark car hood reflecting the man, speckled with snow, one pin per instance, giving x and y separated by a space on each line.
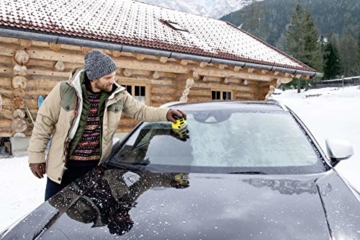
123 204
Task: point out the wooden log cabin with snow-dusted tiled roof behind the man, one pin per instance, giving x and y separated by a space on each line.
162 55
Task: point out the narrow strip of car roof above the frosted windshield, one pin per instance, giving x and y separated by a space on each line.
269 105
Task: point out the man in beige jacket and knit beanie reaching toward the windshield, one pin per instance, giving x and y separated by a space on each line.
80 117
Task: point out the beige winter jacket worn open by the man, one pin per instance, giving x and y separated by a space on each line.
57 120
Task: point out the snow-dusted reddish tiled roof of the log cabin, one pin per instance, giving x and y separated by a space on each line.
139 24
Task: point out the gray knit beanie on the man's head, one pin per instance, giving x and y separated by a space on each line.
98 64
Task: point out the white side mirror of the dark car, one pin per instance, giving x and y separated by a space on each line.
338 150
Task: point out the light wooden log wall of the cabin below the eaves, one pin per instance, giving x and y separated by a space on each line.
29 69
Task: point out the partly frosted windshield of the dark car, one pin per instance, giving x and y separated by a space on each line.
224 141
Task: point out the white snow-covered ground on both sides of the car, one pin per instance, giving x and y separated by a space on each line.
333 114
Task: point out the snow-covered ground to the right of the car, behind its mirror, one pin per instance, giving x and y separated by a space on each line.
333 114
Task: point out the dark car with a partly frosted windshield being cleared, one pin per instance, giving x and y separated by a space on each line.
231 170
